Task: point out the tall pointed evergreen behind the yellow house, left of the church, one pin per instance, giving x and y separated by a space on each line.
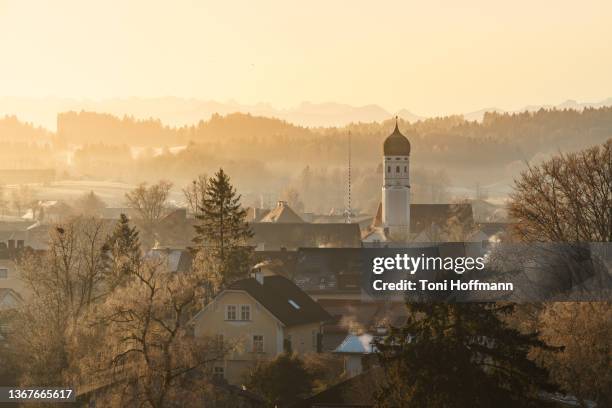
222 231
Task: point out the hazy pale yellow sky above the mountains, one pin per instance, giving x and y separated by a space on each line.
431 57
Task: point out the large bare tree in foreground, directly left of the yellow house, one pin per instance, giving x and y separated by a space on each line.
148 336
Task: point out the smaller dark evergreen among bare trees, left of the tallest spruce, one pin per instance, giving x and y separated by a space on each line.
123 246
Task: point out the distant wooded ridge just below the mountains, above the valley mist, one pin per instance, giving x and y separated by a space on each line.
505 136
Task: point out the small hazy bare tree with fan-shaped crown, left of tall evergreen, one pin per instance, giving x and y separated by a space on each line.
150 202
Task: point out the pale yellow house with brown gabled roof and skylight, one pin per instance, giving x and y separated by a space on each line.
260 318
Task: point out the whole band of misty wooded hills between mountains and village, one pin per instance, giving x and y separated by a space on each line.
268 155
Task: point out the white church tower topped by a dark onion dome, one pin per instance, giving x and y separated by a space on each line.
396 186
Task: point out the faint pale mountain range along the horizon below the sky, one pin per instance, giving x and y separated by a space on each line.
176 111
